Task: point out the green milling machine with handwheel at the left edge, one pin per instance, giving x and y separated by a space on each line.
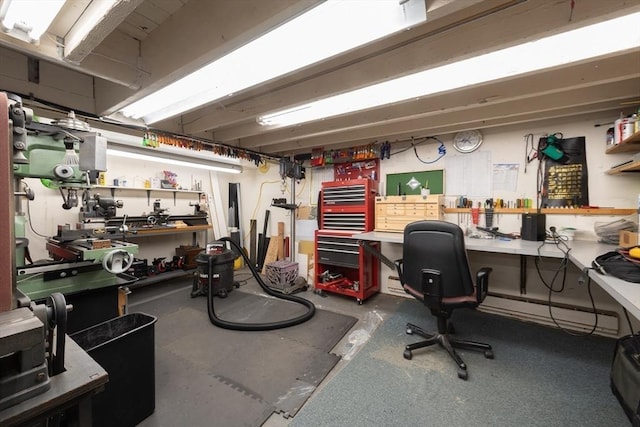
66 155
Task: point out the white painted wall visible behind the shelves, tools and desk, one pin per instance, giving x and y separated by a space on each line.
258 189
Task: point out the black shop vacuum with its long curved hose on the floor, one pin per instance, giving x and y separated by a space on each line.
214 277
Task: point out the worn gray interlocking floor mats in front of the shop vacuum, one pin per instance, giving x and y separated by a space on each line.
206 375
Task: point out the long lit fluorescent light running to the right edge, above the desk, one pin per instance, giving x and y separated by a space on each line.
604 38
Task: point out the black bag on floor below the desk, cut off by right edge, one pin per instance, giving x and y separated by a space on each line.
625 376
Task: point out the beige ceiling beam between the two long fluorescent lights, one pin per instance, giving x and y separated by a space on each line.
427 46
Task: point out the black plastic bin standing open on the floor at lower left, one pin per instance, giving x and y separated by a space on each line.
125 348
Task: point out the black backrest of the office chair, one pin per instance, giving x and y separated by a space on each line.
437 245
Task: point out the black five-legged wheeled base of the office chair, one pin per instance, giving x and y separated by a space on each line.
448 343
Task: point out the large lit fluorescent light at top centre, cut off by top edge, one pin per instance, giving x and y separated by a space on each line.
331 28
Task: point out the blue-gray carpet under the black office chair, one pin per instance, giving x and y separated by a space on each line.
540 377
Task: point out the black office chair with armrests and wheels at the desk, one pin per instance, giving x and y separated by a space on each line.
435 270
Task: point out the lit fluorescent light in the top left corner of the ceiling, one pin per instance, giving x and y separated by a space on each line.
27 20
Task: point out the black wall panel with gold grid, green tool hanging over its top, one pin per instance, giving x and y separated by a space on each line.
565 172
